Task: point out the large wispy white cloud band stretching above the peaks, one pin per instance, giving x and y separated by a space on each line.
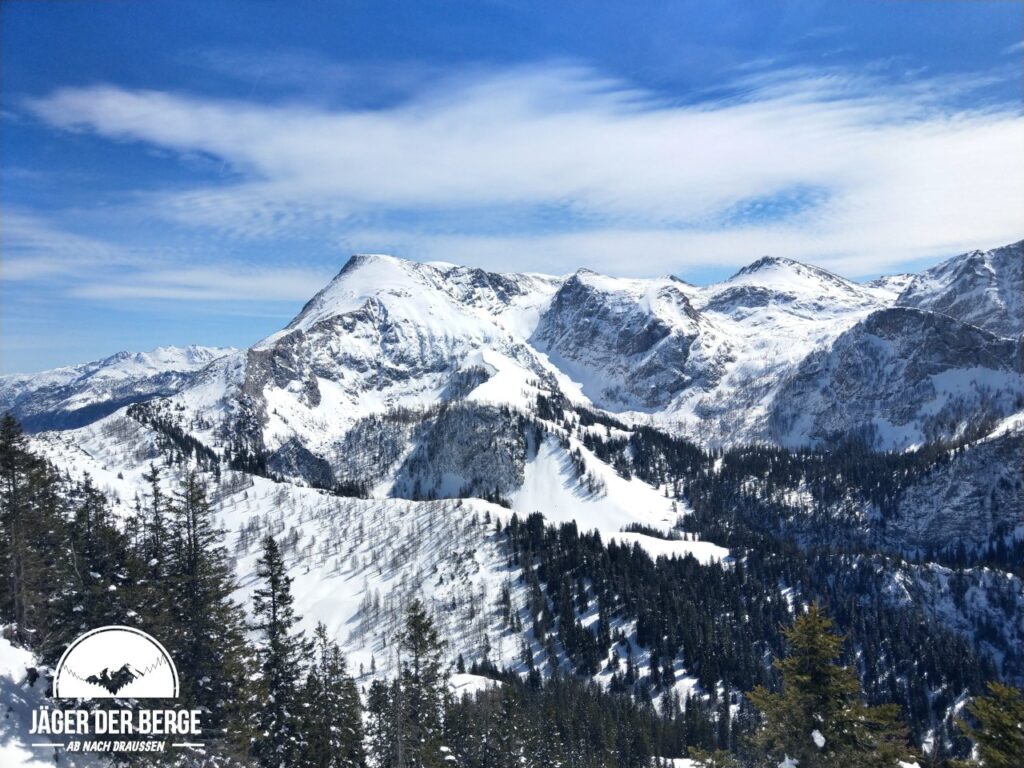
902 177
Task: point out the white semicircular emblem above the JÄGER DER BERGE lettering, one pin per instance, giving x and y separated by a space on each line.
116 663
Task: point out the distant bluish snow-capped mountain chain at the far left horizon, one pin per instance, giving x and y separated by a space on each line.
75 396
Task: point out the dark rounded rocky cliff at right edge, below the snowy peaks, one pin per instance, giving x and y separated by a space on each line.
901 378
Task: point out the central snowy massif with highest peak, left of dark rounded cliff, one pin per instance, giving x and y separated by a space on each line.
389 333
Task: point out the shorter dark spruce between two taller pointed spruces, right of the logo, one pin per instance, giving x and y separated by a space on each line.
333 718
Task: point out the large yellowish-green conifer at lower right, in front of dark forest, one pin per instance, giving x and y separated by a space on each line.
819 719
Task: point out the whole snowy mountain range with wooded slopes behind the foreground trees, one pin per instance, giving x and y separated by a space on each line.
409 405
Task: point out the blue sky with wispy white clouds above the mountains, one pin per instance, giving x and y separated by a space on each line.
191 173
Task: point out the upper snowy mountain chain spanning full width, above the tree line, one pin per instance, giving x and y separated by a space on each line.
780 353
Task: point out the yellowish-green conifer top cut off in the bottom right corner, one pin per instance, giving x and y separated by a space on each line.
1000 730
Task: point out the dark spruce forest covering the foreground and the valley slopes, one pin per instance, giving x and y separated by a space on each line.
840 678
